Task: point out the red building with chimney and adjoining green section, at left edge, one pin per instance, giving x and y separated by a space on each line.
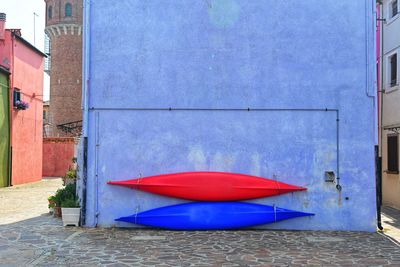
21 108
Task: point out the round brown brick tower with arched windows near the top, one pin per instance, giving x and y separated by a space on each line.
64 29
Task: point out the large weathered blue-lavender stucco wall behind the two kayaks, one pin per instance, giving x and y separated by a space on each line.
144 56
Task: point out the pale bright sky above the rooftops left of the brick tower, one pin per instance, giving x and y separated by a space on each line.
20 16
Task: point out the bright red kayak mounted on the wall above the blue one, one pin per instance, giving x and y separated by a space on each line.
210 186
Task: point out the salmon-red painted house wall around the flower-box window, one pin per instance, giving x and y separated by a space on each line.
26 67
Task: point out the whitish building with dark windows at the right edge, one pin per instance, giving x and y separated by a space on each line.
390 102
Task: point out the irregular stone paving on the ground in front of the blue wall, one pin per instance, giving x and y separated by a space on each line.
42 241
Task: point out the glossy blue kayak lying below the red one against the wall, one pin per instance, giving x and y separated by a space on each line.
212 216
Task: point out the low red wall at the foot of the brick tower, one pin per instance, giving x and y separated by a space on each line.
57 156
